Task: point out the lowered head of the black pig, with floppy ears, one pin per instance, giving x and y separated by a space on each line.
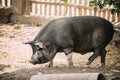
42 53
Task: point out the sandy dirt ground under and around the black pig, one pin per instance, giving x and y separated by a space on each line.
15 56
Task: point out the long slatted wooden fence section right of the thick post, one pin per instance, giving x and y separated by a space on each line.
72 8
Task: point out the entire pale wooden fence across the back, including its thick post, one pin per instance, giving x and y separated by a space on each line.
57 8
